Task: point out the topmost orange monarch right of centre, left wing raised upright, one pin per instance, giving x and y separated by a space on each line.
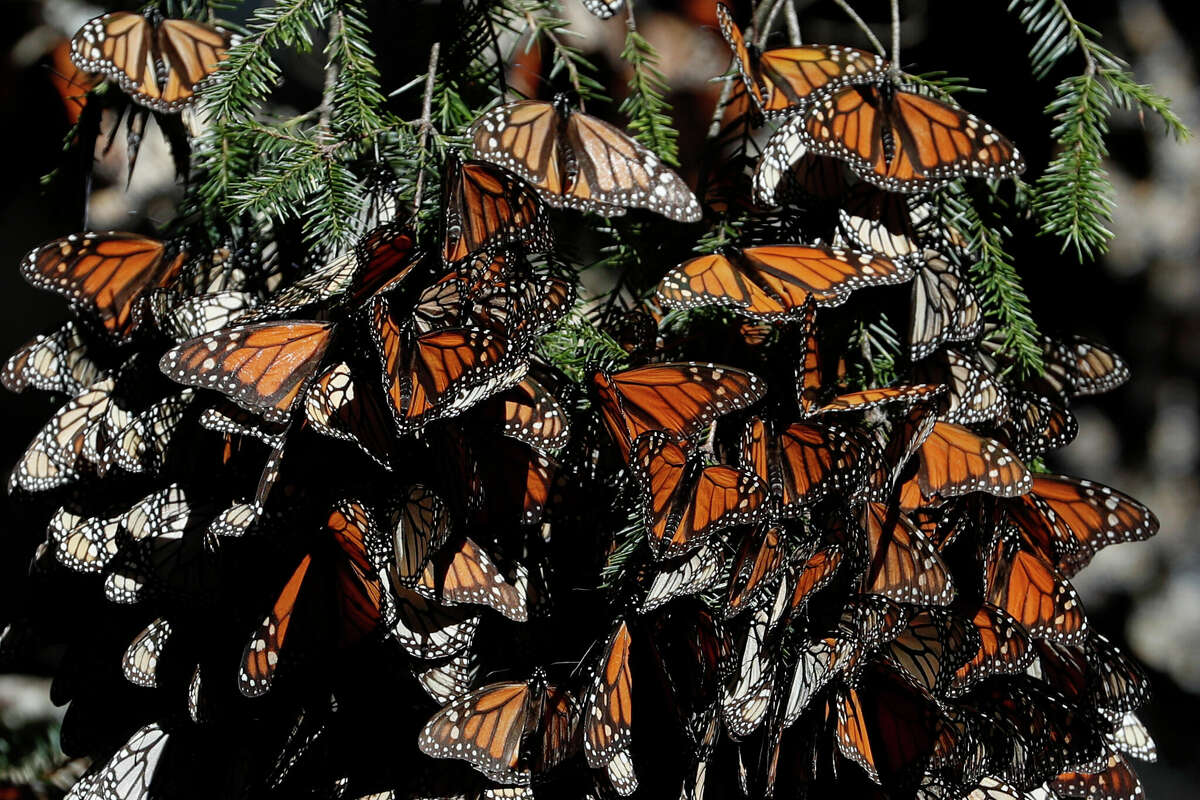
783 81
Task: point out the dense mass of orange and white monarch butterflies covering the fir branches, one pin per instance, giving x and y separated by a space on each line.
351 531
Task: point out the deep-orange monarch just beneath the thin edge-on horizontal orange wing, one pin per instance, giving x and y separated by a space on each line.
803 464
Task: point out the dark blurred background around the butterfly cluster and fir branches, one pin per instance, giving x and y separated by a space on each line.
1143 299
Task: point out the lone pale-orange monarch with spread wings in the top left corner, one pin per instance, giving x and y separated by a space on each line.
159 63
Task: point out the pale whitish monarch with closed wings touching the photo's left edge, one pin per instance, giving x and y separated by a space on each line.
52 363
